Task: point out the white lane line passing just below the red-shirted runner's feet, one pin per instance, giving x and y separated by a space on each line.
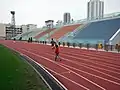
67 69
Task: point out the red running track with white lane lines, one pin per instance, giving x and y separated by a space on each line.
79 69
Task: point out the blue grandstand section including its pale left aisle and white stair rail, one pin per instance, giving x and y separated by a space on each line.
102 31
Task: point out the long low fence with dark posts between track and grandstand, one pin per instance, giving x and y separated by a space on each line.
88 46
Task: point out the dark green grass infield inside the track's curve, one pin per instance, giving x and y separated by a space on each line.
16 74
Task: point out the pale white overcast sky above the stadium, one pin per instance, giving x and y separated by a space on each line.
37 11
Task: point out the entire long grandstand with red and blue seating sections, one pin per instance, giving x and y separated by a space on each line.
103 31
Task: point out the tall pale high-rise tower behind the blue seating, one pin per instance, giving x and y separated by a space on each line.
95 9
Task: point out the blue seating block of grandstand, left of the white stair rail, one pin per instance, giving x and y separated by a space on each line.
98 31
